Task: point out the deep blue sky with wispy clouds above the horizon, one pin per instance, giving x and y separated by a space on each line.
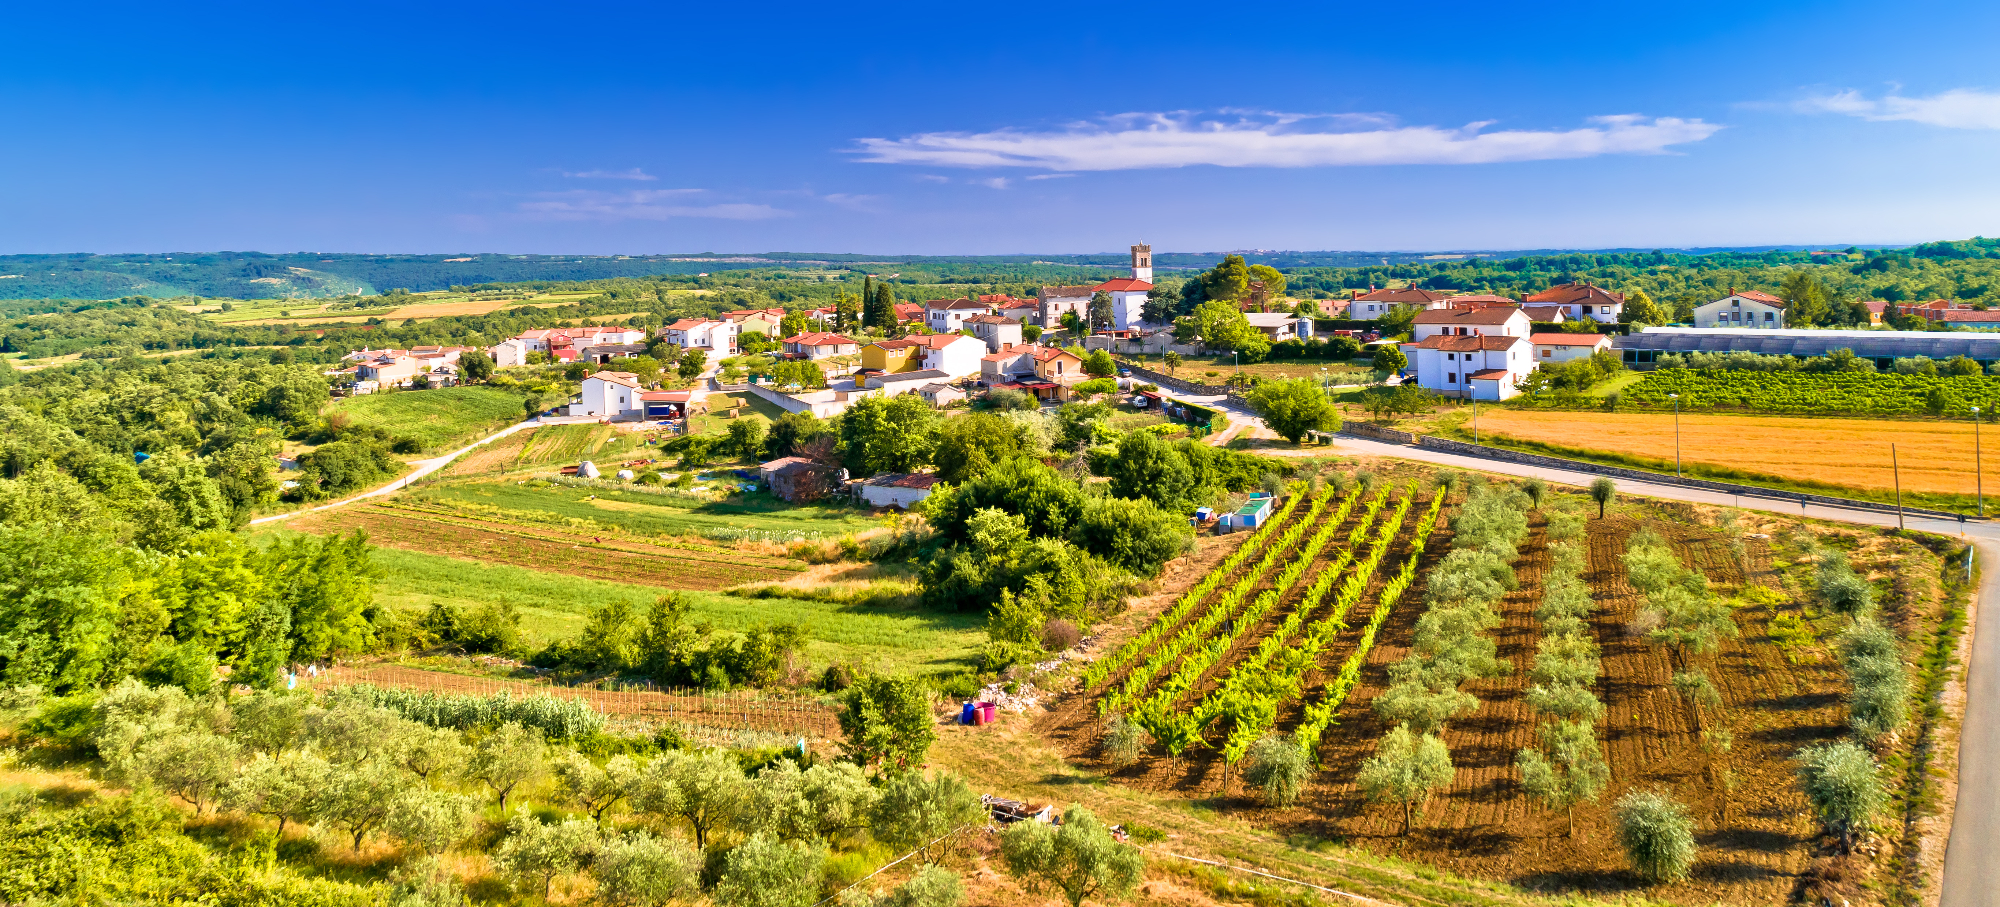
937 129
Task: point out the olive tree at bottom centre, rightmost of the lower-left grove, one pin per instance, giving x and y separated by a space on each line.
1077 860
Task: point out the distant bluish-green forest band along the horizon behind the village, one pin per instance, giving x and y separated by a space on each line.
315 275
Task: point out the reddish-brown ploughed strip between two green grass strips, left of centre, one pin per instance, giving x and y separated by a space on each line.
543 548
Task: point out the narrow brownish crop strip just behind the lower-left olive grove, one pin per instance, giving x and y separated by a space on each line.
711 712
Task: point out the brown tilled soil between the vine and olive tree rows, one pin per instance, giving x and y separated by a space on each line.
1753 842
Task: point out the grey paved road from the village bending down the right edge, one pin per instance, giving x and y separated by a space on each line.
1973 856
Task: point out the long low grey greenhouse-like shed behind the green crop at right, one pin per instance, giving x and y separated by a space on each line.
1645 349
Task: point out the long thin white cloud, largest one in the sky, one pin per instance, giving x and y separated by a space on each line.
1275 141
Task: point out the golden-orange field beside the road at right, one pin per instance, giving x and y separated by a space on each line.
1935 456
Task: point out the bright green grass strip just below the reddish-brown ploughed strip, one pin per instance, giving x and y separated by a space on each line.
555 606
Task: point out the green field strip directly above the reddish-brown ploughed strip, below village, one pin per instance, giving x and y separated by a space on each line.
651 516
